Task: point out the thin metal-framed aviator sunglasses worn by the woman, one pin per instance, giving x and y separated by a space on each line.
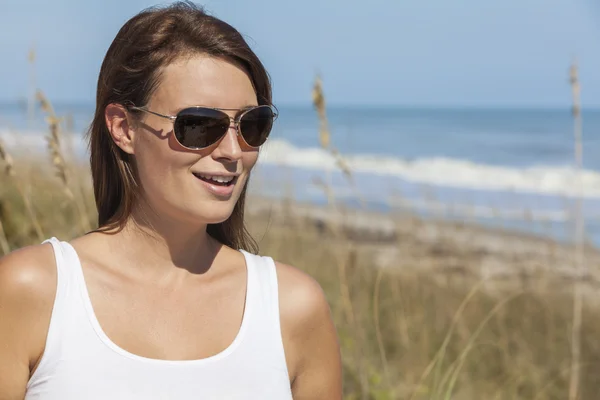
197 128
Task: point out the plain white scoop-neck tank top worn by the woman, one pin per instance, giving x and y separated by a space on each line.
81 362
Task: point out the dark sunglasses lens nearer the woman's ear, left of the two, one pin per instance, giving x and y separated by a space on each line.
197 128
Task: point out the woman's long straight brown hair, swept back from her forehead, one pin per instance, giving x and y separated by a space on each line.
130 73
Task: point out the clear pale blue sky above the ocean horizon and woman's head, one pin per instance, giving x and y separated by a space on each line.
458 53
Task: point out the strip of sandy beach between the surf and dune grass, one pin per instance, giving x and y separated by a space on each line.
404 241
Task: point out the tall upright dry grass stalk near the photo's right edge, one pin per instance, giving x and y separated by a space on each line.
575 377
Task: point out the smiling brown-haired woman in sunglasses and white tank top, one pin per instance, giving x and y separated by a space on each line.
165 300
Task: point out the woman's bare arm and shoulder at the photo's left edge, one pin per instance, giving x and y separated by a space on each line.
27 290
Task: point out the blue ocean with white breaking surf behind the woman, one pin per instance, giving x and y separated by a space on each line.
512 168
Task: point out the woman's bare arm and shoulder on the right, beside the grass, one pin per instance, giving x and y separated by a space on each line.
310 338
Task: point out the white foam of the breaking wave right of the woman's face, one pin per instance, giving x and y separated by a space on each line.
555 180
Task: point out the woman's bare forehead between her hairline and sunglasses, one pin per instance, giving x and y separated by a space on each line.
206 81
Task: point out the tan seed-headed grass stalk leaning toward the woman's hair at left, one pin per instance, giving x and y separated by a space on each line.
58 160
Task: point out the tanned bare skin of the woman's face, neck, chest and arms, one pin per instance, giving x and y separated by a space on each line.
170 292
